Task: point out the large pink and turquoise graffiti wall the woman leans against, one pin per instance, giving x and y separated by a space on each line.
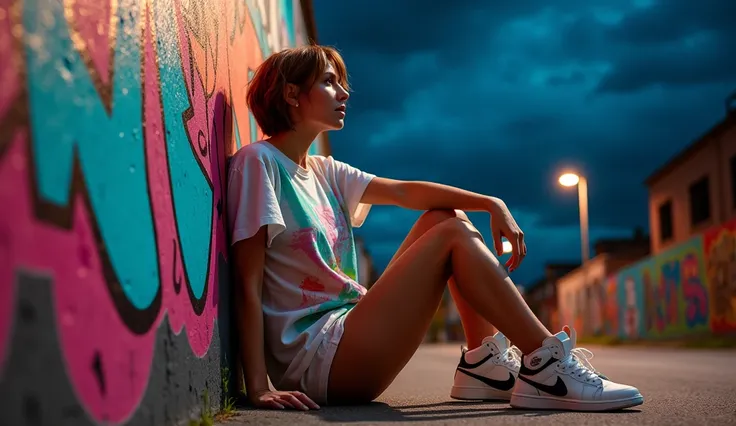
116 120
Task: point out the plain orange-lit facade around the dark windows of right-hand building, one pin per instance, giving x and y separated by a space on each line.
712 160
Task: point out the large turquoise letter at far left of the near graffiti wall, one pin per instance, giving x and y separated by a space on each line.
64 102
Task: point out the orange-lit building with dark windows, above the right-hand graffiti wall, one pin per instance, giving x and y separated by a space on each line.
696 189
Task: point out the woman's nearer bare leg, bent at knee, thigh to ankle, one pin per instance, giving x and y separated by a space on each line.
385 328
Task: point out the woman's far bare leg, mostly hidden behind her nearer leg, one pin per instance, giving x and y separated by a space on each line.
475 327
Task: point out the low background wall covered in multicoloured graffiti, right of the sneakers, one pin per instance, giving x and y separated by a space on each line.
659 297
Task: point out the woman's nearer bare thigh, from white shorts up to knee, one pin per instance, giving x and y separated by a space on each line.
384 329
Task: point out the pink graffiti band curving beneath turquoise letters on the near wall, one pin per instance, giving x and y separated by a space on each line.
107 365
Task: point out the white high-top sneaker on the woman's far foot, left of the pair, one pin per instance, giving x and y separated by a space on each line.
488 372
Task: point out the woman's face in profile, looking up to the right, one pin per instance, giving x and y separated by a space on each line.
324 105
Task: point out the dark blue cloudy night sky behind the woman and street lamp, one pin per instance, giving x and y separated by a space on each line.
498 97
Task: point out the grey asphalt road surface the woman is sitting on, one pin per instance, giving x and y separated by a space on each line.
688 387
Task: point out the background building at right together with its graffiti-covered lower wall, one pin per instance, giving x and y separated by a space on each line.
687 285
